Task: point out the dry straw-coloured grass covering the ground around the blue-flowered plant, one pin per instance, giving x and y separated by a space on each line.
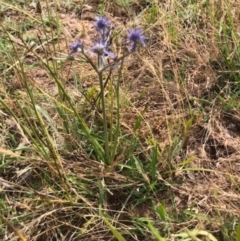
184 87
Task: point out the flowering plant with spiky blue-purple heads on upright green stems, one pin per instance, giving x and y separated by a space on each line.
102 50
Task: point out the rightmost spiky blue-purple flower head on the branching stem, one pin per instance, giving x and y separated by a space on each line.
135 37
